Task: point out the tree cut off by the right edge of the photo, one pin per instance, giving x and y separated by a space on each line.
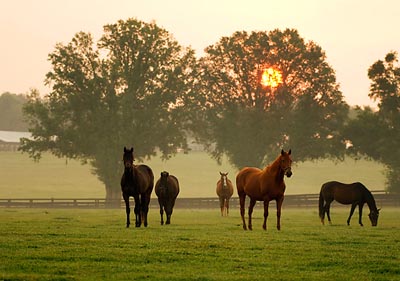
376 134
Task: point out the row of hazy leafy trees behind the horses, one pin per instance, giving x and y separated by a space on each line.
137 86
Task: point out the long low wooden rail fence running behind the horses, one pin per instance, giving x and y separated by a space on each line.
382 198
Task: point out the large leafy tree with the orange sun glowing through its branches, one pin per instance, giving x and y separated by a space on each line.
250 122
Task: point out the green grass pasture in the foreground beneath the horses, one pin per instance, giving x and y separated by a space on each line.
56 244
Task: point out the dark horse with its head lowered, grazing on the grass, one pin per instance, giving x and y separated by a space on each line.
353 193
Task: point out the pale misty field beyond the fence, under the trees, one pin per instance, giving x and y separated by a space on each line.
20 177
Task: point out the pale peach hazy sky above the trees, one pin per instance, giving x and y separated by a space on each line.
353 33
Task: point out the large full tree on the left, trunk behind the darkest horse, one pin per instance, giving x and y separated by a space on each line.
129 90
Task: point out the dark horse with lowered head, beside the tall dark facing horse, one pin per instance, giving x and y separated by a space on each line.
167 189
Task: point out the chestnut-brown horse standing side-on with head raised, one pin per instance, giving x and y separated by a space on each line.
264 185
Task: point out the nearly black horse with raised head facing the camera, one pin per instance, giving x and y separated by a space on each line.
137 181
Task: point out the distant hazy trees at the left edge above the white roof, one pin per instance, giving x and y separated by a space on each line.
11 118
